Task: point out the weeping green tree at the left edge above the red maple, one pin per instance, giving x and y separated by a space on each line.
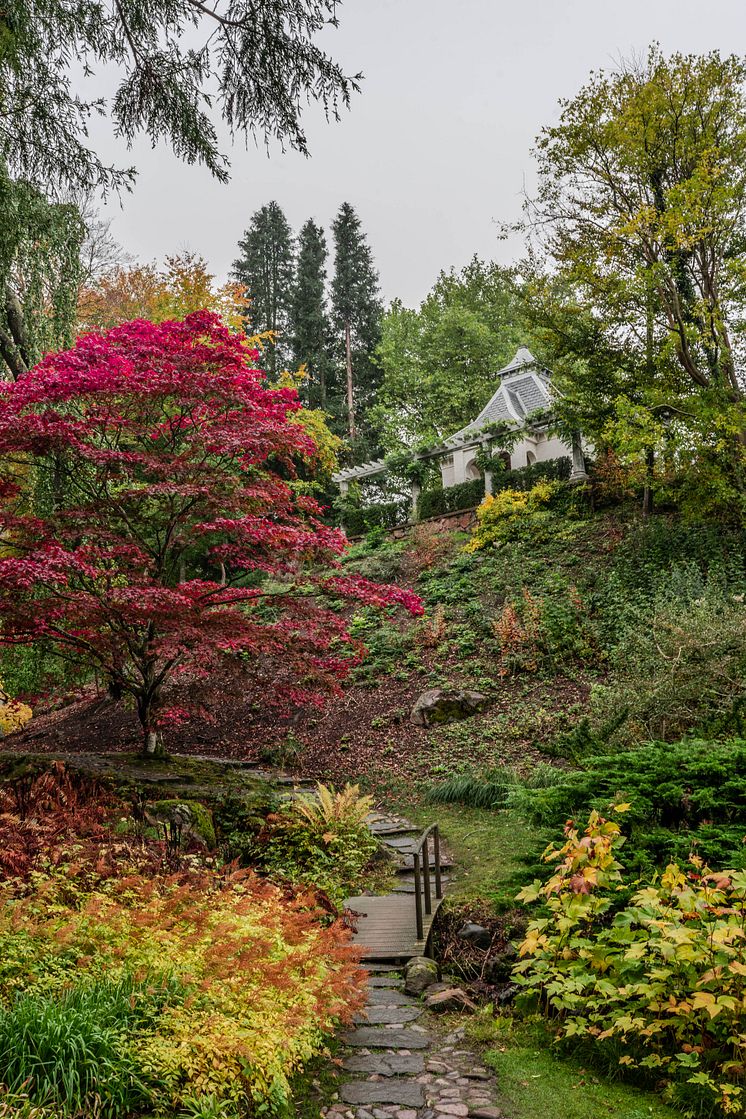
40 270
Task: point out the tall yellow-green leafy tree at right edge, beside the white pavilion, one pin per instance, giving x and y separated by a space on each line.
641 211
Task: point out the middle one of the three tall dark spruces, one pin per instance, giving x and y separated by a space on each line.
311 333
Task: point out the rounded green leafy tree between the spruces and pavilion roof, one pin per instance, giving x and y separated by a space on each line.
439 363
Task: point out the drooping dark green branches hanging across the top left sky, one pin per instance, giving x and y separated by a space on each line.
260 57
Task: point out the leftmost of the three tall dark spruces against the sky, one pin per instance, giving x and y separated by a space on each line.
267 270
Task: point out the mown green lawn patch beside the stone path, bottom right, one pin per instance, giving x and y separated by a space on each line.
536 1082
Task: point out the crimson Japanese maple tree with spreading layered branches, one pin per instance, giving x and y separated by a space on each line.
174 537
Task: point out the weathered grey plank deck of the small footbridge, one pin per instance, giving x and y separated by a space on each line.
386 927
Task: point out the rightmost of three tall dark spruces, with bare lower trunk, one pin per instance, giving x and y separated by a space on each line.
356 314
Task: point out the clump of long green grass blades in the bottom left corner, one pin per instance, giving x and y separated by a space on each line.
75 1054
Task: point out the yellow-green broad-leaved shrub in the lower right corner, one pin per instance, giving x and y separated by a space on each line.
659 989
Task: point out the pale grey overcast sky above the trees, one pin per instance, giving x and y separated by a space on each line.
438 147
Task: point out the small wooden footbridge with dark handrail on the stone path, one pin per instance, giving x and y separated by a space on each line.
398 926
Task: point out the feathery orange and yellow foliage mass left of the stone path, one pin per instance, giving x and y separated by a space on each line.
263 981
